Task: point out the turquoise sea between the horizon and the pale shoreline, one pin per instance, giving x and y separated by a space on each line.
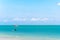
38 30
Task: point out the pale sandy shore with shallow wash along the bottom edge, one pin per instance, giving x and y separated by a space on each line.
12 37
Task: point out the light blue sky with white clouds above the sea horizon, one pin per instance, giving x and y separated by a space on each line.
30 12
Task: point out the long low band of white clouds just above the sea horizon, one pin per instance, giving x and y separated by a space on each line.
17 19
